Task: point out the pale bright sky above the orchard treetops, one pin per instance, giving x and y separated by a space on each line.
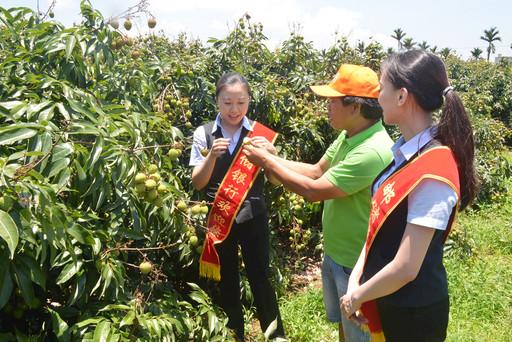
444 23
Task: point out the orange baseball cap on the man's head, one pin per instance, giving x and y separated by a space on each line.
351 80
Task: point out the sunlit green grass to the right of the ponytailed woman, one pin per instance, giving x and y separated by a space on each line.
481 284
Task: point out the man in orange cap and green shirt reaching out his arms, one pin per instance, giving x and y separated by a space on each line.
341 178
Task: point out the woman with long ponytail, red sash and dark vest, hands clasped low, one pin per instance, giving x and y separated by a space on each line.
398 288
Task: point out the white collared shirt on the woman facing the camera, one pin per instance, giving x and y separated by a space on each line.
199 140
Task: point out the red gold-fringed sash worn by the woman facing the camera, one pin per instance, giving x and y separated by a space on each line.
228 200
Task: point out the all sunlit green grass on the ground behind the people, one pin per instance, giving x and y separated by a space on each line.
480 283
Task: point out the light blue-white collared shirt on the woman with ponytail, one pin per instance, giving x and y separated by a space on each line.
431 203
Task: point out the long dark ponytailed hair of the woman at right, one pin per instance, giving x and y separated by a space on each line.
424 75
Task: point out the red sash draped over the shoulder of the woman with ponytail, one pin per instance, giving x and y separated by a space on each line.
436 163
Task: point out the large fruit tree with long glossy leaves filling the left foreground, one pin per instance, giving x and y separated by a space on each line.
90 253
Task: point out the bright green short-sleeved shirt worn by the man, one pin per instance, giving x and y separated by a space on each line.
353 165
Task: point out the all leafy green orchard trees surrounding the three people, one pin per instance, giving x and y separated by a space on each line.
85 108
